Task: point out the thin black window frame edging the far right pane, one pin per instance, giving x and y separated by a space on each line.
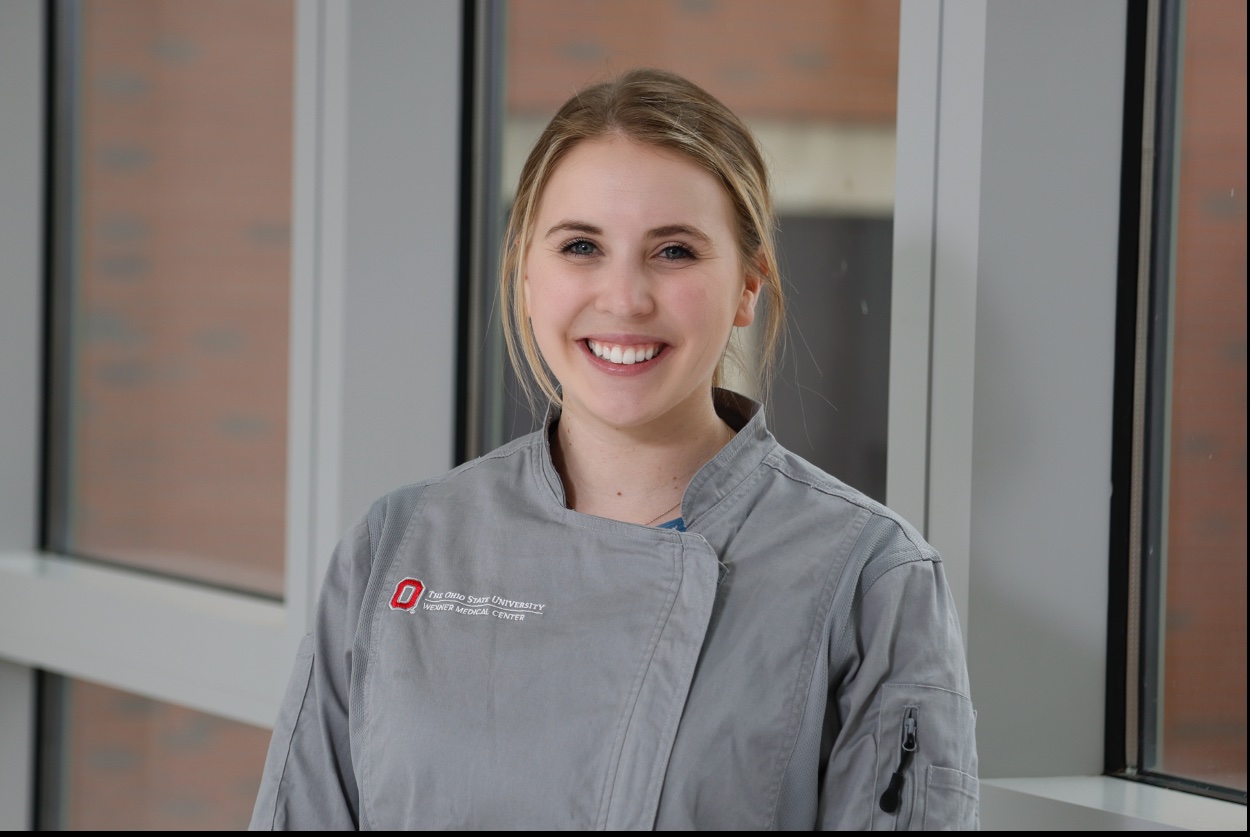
1149 292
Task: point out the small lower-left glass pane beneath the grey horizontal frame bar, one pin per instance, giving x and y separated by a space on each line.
118 761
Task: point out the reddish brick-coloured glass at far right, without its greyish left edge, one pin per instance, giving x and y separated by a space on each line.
1203 724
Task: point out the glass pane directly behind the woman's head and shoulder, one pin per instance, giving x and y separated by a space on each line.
818 82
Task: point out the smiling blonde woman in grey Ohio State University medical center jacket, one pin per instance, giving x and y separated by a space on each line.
648 615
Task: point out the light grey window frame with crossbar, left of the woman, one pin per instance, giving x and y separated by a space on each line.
218 651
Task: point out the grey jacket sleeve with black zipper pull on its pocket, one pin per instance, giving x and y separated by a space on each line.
904 750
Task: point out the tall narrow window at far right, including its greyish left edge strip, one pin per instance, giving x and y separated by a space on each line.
1193 520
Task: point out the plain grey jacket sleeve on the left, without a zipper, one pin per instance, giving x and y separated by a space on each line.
309 781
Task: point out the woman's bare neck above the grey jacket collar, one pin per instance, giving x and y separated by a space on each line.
632 477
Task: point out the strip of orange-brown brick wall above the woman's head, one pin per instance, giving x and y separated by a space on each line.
833 61
